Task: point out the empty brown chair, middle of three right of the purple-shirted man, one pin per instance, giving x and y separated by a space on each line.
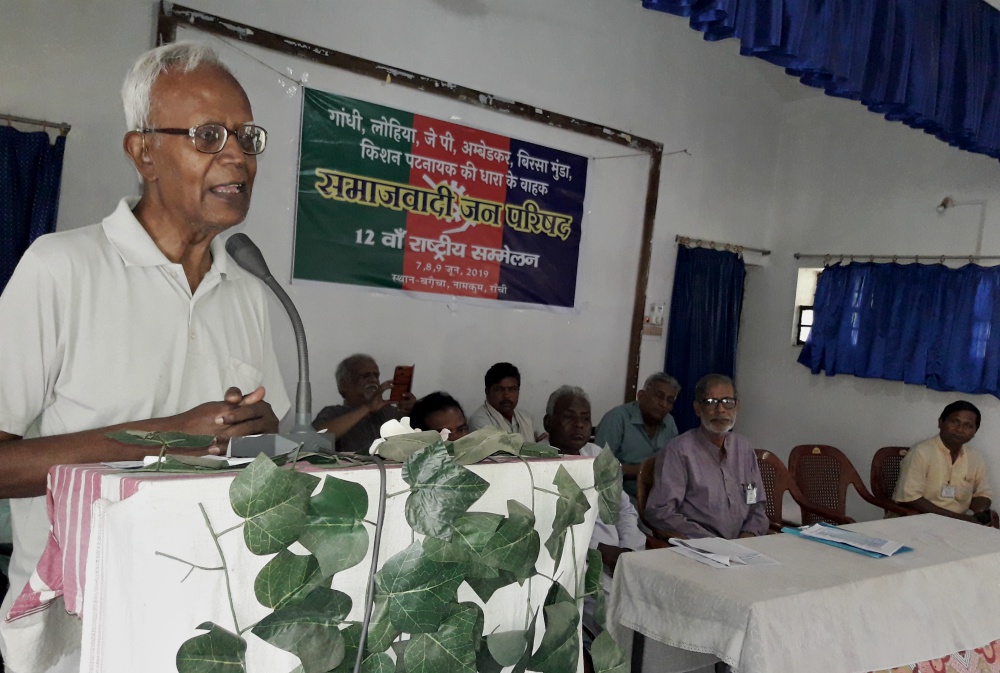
823 473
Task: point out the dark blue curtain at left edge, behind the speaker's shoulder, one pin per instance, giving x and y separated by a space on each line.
30 173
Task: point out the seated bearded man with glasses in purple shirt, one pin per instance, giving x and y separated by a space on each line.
707 480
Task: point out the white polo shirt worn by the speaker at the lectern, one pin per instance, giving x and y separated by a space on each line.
98 327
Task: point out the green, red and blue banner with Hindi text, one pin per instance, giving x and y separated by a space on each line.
388 198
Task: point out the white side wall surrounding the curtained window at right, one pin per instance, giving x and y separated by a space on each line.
850 182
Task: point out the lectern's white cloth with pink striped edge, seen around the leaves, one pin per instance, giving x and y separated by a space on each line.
135 606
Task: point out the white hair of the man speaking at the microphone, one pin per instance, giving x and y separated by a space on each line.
184 55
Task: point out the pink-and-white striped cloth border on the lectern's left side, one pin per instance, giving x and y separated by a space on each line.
72 490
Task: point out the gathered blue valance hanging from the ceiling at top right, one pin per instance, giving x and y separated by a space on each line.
931 64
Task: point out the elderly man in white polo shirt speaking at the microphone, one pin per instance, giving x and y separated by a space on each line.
141 321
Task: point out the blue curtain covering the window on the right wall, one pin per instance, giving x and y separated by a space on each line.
923 324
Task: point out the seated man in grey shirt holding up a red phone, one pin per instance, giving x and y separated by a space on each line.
357 421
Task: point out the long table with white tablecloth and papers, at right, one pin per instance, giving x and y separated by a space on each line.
823 610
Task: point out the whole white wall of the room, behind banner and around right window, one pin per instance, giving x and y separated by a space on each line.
770 164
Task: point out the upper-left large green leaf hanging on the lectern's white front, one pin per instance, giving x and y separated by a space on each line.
273 501
